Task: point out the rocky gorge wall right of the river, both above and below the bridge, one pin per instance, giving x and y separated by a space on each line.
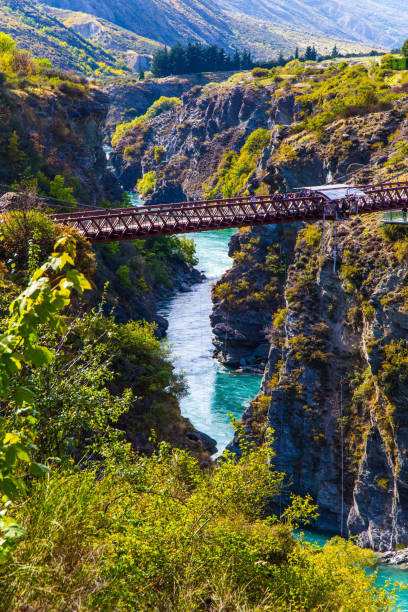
333 342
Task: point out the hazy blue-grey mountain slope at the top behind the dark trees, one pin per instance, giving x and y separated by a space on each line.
257 26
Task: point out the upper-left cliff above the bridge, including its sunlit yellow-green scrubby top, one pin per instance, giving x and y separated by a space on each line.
50 119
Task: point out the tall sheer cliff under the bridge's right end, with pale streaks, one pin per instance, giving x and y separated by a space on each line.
335 387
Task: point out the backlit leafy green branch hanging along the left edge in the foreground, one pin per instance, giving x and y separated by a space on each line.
47 294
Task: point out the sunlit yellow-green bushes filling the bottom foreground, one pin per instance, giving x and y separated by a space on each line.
190 535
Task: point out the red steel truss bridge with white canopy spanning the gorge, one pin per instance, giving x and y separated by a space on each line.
308 204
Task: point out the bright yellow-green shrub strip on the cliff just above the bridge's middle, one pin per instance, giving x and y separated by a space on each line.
235 168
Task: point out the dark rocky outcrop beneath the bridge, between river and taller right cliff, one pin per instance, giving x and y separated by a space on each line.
247 296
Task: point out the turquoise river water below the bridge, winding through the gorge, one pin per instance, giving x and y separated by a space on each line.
214 392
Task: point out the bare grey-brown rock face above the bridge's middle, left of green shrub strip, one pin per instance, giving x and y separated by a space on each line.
185 145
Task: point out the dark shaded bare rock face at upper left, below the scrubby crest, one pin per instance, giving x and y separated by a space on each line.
57 131
